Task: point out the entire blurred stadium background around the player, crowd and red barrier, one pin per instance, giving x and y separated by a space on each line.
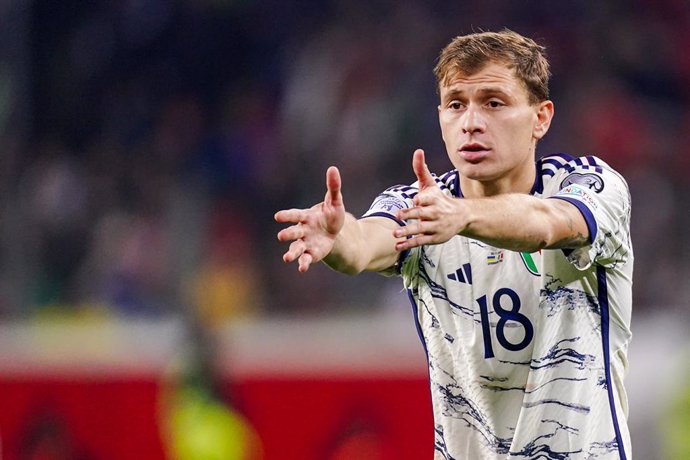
145 312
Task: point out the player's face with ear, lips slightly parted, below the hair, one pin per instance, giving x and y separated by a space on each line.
489 127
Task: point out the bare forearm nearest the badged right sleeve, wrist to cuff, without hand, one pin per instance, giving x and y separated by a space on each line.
523 222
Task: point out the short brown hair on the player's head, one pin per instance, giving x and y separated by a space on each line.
468 54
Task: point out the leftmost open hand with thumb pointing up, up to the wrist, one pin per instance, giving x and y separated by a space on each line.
315 230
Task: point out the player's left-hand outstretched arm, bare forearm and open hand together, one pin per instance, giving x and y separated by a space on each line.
326 232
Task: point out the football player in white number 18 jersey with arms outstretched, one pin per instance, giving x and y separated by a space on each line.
519 271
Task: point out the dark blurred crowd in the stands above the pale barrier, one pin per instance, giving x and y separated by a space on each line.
146 144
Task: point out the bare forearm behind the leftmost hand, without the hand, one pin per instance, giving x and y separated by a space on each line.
363 245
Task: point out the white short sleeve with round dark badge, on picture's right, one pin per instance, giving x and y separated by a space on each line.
603 198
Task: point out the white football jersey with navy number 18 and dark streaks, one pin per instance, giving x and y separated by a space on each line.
527 352
